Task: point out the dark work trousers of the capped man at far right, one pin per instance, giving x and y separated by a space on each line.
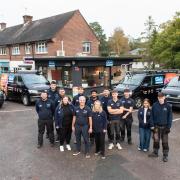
160 134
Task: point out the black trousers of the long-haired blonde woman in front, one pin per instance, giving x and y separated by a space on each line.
100 142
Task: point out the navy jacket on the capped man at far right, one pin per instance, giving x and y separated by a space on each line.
161 115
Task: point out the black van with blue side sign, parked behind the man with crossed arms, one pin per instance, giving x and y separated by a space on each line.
145 84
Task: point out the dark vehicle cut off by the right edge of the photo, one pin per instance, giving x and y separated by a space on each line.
172 91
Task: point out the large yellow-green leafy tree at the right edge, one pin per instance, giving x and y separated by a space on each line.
166 46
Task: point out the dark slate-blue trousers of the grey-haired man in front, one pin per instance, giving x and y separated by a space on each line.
82 131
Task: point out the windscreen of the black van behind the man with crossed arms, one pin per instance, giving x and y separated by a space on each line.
135 79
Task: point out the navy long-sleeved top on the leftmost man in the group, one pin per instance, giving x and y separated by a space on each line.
45 109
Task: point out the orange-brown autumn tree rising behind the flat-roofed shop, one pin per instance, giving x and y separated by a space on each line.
119 42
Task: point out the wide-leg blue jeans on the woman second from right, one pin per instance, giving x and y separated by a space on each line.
144 138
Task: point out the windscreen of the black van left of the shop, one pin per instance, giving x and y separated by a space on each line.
34 79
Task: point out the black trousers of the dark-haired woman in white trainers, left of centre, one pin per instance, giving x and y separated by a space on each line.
65 134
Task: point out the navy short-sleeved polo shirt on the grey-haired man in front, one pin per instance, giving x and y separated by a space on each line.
82 115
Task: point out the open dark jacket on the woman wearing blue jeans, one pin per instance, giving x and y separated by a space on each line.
141 118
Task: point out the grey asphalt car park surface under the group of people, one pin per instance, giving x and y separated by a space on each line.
21 160
